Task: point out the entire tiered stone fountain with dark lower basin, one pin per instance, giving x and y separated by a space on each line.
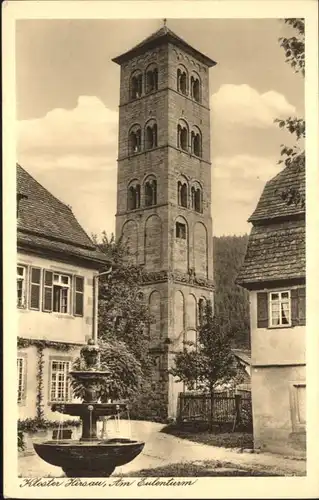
89 456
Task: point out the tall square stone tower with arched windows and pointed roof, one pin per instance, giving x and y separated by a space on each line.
164 190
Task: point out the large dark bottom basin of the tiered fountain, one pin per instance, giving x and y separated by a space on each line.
89 459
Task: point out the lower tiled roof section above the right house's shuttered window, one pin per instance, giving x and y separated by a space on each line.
275 252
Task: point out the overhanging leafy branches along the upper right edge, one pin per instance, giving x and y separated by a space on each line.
294 157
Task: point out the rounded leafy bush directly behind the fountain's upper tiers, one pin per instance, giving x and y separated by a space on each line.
126 372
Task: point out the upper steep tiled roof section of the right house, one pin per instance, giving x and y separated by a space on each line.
271 204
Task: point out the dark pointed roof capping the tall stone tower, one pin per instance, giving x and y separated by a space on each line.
162 36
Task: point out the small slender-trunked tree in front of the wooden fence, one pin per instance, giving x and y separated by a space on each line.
210 363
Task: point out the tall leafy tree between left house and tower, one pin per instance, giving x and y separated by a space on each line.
123 315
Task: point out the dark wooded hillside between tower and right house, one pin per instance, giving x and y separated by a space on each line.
231 302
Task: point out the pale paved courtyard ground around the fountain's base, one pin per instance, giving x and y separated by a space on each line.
163 449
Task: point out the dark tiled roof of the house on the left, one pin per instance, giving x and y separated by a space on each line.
46 222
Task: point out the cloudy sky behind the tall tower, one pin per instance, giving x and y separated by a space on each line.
67 96
